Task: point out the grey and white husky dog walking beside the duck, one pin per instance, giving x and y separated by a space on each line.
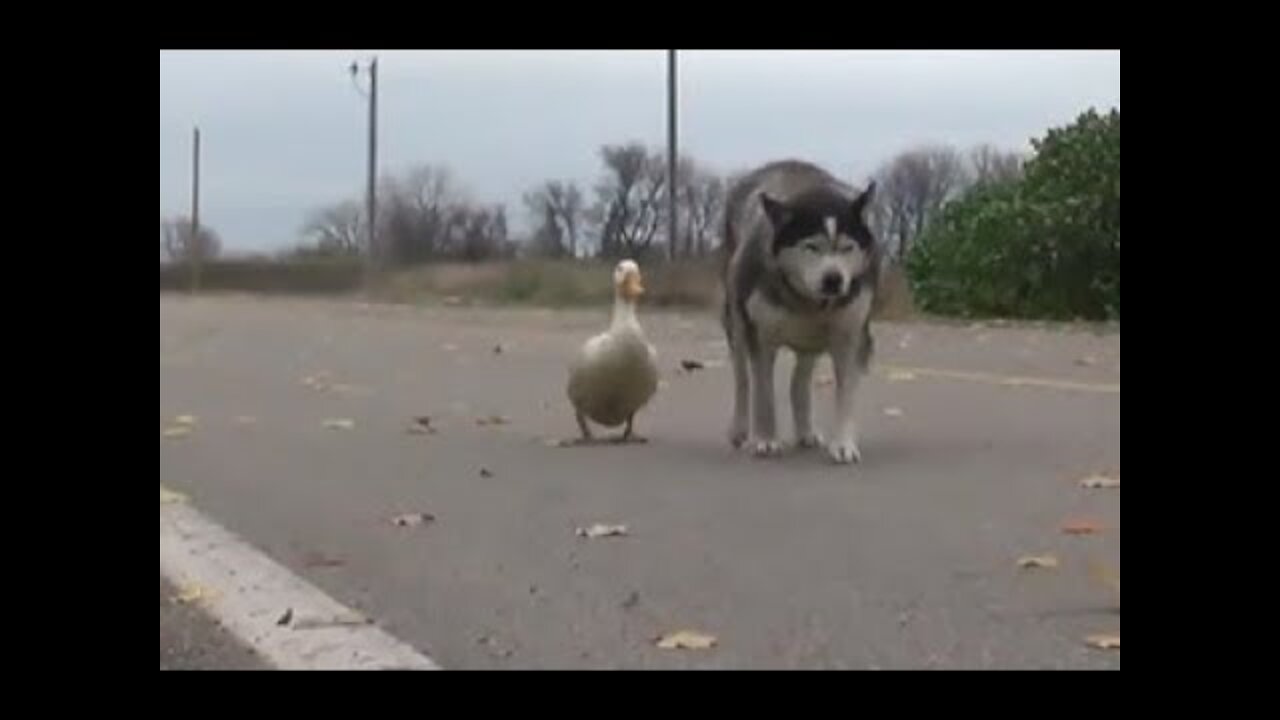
801 270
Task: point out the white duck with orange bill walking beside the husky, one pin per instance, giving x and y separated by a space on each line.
616 373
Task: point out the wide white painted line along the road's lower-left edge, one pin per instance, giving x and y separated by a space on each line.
249 594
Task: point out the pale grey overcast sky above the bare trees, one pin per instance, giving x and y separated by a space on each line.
284 133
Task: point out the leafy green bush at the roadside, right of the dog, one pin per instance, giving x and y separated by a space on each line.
1044 247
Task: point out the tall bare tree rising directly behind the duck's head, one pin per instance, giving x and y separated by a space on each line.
630 204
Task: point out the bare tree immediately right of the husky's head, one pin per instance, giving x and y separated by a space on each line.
913 188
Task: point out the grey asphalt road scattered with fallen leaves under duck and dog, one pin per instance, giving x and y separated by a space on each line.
975 441
